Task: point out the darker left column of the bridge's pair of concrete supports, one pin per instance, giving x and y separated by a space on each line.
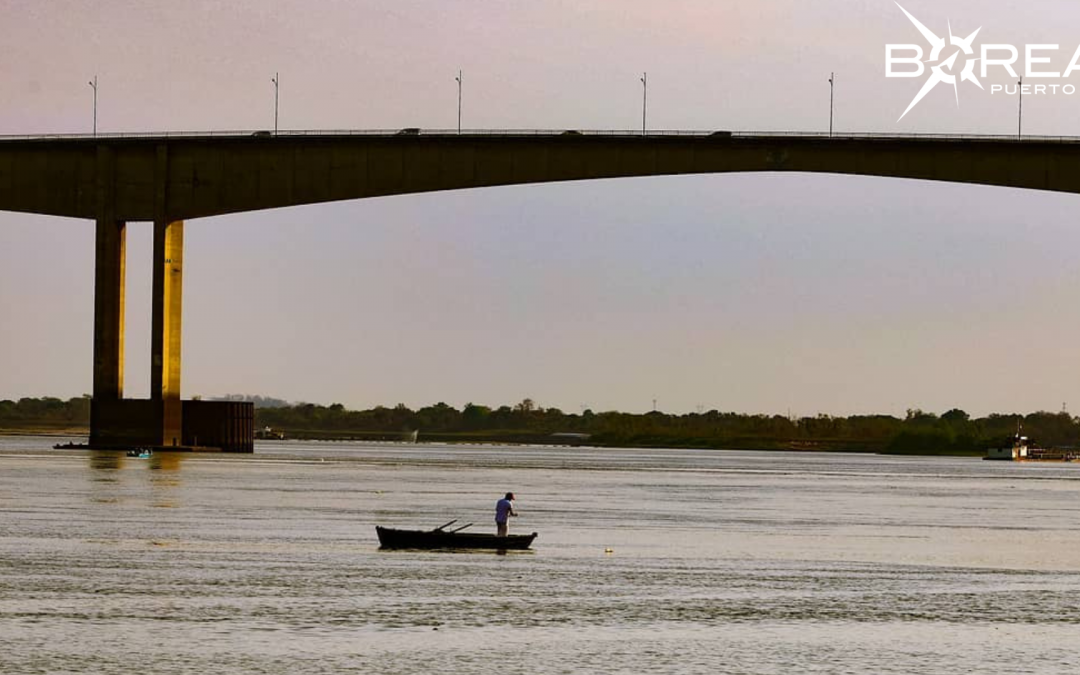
110 265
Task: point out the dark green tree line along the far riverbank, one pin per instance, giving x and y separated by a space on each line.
954 433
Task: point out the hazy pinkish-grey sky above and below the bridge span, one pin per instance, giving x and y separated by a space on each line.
747 292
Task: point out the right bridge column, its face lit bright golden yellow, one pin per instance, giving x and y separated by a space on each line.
166 327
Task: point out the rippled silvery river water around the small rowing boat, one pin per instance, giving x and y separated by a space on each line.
721 562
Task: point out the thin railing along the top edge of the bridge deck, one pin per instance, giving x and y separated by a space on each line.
538 132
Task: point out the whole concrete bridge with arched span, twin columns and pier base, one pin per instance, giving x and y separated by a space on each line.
169 179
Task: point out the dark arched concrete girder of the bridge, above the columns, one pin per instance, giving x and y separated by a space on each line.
175 179
